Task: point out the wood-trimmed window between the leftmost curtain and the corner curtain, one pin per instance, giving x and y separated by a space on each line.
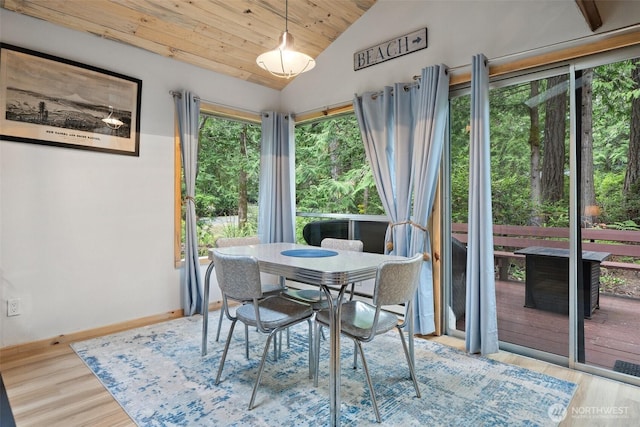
227 180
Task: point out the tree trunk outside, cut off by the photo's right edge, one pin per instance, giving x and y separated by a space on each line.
632 177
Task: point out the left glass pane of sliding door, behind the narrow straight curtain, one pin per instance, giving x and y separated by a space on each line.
529 177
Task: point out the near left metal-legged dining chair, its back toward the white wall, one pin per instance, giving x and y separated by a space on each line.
239 279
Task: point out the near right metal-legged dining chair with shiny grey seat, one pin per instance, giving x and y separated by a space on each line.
396 283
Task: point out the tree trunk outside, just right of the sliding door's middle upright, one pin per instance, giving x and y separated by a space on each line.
587 187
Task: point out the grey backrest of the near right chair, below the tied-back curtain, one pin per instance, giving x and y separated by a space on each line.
397 281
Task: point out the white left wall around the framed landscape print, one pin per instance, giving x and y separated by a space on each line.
86 238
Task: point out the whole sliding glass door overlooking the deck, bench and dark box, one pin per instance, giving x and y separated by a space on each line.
565 167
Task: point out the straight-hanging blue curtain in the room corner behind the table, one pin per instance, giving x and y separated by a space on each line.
276 198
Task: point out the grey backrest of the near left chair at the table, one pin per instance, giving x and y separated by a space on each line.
238 276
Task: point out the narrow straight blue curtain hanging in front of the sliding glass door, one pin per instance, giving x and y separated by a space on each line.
481 324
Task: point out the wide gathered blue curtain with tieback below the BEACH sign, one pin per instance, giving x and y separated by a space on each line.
403 130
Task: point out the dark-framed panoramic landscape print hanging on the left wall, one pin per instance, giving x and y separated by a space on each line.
54 101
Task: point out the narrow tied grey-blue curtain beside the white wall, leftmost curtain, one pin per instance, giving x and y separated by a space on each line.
187 107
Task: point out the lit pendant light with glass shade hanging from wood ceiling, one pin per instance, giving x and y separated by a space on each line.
284 61
